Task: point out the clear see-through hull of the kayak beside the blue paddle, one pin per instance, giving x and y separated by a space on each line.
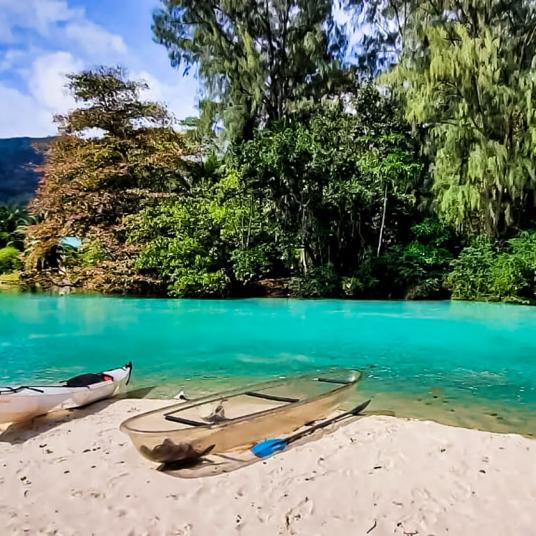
278 417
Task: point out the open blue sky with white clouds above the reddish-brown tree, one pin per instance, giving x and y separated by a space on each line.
42 40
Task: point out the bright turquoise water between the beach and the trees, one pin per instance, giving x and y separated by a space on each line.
464 351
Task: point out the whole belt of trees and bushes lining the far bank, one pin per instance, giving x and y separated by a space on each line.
393 159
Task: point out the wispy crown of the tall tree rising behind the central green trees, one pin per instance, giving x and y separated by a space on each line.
255 57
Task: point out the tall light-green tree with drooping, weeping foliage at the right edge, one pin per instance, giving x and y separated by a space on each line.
467 74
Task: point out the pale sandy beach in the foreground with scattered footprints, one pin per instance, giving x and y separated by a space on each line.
78 474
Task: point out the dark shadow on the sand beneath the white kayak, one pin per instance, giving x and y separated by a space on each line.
19 433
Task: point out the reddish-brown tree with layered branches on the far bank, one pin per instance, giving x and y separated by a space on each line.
115 153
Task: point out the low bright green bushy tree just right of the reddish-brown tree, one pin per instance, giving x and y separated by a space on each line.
209 242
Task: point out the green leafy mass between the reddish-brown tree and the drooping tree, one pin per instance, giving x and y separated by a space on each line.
308 198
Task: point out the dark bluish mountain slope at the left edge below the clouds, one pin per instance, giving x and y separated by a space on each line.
20 162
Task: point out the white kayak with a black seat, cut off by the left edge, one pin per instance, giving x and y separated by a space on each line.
22 403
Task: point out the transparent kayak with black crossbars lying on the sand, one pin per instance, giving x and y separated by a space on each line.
236 419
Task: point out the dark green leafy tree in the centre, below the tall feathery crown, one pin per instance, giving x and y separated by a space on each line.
337 179
